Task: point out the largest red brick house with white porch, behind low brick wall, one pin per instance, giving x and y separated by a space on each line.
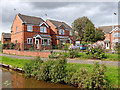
30 31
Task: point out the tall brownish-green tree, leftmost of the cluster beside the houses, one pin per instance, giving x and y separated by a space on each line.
79 26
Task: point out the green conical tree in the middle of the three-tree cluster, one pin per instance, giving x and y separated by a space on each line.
89 33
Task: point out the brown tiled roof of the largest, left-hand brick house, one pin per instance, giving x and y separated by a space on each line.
31 19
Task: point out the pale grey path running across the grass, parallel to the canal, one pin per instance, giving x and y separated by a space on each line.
113 63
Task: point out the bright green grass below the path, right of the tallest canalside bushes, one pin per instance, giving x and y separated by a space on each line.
111 73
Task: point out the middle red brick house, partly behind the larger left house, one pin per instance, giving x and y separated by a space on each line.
60 32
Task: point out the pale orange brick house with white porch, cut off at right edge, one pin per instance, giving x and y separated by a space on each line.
112 35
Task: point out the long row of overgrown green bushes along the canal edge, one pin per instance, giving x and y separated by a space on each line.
56 71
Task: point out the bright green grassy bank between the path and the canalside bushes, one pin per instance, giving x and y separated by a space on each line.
112 71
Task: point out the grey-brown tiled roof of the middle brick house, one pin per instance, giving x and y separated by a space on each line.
59 23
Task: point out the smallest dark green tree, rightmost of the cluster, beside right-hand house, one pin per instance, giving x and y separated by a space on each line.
99 35
